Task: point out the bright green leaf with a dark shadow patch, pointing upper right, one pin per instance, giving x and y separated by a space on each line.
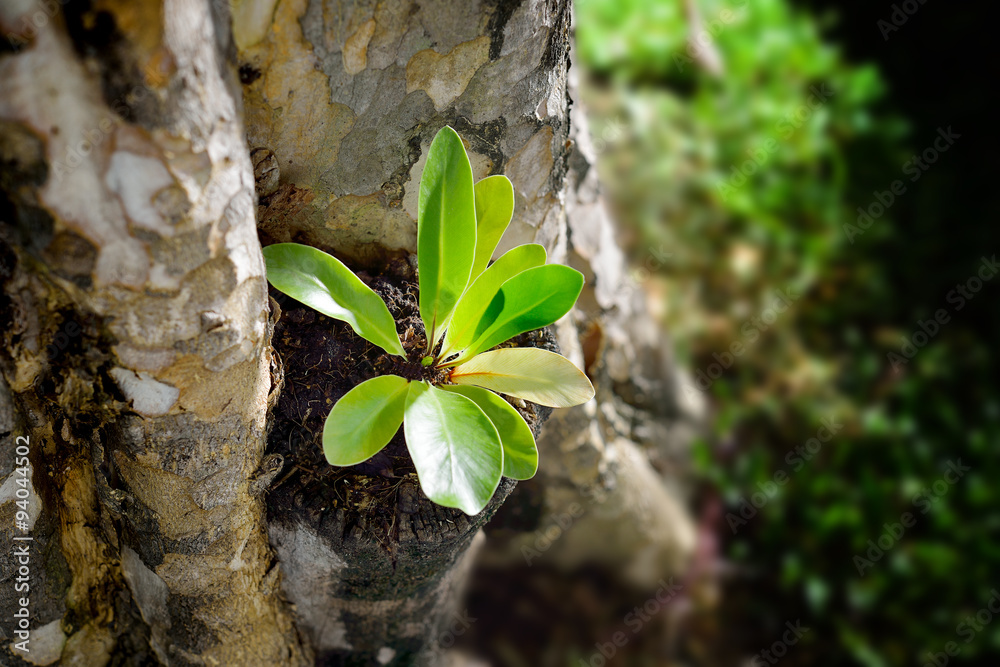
532 299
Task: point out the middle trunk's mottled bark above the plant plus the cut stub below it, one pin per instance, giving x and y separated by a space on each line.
342 100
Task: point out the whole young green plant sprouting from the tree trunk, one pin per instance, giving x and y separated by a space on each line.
461 435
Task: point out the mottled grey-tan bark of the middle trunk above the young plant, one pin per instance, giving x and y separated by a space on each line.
349 95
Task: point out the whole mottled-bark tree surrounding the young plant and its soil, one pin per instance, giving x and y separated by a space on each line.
140 144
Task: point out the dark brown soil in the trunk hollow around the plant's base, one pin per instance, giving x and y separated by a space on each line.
323 359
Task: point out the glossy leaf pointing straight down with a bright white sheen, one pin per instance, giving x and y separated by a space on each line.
454 446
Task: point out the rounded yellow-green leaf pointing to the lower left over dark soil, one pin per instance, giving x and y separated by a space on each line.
364 420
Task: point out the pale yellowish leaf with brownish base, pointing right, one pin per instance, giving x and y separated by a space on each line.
530 373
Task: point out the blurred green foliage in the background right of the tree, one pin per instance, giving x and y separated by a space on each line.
734 149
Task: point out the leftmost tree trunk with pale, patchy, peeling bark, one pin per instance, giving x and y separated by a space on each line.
135 338
